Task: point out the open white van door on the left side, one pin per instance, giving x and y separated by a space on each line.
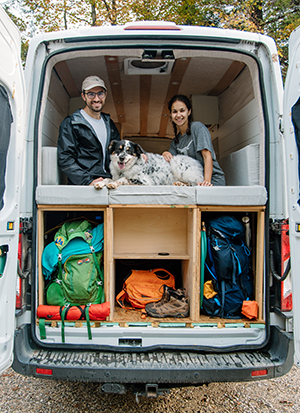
12 110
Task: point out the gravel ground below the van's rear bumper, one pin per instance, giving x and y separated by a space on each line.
25 394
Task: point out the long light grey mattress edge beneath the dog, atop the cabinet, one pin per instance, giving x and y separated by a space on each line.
151 195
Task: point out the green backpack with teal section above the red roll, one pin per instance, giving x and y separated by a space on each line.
79 277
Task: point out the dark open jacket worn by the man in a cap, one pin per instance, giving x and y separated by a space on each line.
79 152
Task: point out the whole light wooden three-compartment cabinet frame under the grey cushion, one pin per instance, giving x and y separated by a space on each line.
154 233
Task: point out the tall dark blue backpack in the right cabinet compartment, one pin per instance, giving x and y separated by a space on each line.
228 266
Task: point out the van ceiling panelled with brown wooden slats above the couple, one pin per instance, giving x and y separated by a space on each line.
138 103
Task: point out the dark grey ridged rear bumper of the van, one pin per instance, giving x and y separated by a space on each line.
167 369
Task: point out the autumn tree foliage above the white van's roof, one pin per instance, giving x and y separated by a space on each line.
276 18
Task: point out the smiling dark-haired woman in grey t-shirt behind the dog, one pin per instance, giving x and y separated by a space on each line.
193 139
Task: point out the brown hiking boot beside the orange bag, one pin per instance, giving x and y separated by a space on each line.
173 303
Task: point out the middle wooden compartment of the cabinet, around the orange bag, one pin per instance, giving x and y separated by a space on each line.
154 233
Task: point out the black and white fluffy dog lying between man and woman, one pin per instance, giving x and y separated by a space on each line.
128 167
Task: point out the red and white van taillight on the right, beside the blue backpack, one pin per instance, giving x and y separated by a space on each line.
286 285
